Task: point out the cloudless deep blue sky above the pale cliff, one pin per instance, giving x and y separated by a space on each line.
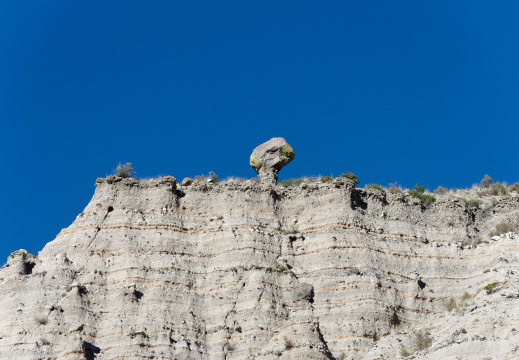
412 91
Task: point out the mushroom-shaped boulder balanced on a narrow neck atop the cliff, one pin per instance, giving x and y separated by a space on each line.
270 157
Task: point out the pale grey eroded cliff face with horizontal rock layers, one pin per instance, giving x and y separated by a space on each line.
152 270
